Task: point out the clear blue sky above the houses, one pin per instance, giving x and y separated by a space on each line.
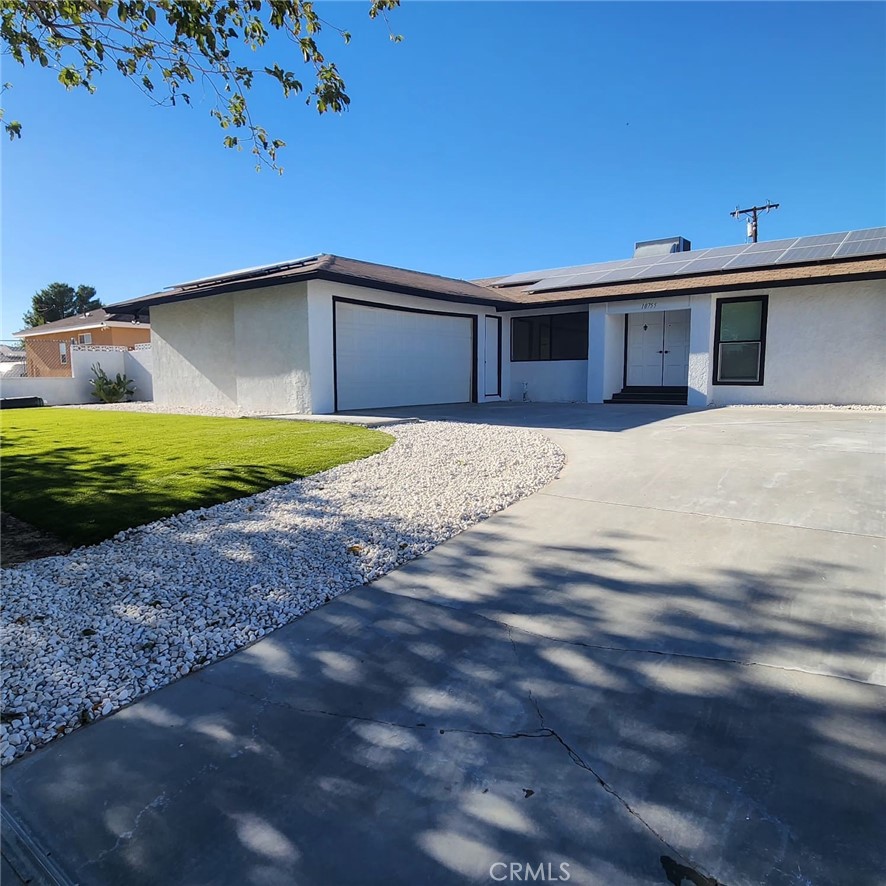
497 137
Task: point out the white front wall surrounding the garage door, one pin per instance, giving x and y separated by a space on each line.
320 314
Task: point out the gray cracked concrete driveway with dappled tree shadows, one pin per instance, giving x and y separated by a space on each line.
668 666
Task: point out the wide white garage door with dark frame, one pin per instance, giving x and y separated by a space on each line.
388 357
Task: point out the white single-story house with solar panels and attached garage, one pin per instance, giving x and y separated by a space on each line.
801 320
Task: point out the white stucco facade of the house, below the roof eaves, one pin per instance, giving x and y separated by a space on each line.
285 348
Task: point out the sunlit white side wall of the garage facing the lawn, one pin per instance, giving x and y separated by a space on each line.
243 349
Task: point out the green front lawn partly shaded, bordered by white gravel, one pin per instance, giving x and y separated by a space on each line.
84 475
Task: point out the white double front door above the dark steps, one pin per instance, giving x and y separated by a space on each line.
658 349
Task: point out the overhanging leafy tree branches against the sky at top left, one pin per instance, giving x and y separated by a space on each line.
166 46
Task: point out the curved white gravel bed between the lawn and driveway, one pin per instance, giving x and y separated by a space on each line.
93 630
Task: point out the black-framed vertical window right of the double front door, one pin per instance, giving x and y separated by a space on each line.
740 340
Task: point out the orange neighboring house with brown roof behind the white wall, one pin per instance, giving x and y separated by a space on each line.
48 347
